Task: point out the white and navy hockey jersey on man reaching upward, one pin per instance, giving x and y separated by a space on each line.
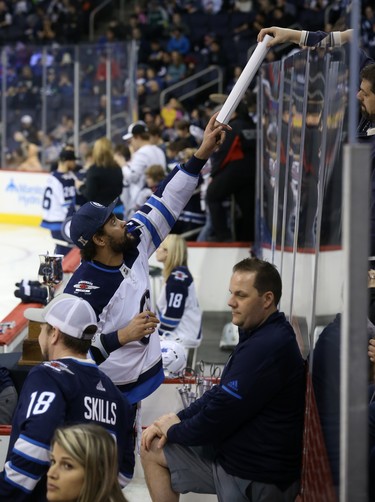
118 294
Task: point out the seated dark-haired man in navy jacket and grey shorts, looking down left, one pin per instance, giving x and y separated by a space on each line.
213 445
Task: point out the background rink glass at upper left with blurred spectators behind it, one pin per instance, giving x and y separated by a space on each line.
57 94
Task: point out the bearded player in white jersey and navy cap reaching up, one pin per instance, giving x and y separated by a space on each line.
114 272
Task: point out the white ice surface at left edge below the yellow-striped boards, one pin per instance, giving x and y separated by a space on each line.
19 259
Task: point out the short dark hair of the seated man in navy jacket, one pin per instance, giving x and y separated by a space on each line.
267 277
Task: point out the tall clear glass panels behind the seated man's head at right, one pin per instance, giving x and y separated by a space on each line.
303 103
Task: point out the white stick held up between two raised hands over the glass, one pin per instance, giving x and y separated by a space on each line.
243 81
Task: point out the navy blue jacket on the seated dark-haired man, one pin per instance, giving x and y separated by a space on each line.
254 417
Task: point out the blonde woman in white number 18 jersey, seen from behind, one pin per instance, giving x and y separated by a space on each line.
178 308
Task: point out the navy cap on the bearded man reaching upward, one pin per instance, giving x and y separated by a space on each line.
87 221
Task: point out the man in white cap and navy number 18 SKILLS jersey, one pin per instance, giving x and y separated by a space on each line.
67 388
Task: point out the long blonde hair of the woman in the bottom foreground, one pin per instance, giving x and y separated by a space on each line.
96 451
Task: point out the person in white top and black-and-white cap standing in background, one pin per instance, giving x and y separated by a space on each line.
144 154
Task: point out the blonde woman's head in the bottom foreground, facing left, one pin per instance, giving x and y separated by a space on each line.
83 466
